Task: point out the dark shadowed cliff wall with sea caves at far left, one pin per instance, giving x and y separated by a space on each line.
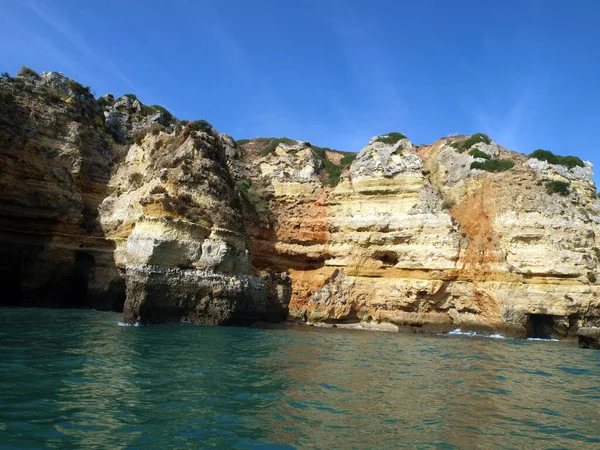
55 164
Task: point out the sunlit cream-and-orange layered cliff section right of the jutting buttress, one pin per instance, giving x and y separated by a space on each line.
415 237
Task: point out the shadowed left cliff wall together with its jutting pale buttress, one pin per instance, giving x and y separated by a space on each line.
153 227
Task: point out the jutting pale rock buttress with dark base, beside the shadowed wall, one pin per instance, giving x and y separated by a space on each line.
185 255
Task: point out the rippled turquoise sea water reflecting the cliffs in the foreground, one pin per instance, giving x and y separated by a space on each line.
74 378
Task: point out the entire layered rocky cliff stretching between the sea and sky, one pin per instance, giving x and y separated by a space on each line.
112 204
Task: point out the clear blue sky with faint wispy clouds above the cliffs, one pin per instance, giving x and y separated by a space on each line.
334 72
